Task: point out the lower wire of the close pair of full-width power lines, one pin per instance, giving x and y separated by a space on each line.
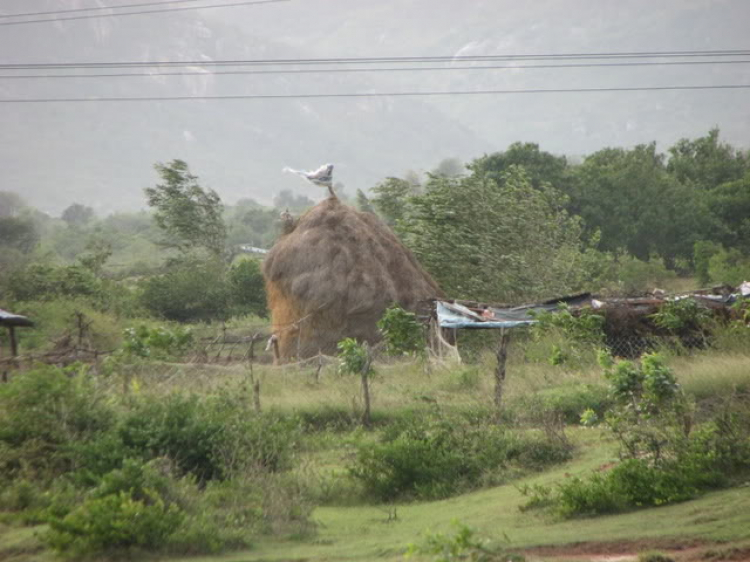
389 69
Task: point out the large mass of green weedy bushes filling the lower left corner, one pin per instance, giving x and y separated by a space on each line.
177 474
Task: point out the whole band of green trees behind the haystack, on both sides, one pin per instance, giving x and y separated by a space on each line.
509 226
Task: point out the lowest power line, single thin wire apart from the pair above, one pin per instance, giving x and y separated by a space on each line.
382 94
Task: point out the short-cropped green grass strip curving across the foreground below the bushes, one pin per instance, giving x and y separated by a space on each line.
370 533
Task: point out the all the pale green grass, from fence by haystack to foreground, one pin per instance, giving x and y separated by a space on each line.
368 532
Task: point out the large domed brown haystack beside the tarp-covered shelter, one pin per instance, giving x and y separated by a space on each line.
333 275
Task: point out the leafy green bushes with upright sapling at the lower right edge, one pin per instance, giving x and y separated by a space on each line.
665 459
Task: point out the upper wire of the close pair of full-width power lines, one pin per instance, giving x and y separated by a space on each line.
382 60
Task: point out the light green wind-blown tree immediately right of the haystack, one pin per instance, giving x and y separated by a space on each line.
501 241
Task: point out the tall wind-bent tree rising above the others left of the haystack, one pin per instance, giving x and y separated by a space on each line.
190 216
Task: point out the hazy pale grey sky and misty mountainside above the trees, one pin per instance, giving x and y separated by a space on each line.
102 154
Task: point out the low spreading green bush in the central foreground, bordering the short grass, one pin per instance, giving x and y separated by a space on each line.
435 457
